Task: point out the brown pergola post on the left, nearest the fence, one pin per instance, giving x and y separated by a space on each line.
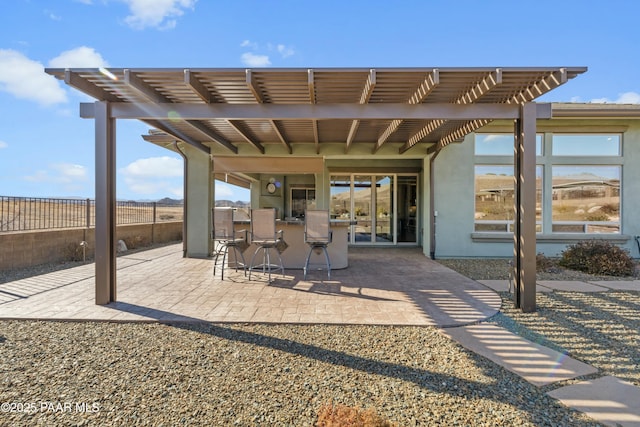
105 208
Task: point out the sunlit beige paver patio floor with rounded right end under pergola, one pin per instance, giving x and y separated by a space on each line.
389 286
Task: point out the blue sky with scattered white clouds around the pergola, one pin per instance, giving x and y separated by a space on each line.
46 150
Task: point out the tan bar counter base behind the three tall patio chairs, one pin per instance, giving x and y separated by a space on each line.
295 255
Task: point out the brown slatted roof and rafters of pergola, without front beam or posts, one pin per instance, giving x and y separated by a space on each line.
256 136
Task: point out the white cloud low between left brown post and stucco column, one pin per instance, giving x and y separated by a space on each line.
154 175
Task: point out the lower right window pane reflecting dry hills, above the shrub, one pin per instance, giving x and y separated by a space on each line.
586 199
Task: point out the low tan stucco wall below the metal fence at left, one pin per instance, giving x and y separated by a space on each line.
23 249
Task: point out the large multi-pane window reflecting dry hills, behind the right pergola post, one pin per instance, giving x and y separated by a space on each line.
582 194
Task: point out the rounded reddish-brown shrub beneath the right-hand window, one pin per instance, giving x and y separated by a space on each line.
598 257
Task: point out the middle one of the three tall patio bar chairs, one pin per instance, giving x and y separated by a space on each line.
265 236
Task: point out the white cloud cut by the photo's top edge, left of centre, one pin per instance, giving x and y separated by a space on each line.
156 13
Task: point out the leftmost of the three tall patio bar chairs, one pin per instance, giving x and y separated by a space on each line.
225 237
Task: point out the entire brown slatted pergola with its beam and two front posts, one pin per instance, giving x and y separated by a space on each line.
302 113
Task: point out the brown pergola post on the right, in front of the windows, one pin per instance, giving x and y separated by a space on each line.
525 209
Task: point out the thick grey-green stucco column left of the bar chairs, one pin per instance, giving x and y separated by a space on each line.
199 193
